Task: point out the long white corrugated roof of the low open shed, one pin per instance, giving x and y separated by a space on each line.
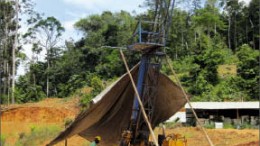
224 105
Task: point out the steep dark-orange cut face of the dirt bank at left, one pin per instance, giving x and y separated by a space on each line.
37 114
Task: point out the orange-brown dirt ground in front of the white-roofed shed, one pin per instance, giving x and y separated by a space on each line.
219 137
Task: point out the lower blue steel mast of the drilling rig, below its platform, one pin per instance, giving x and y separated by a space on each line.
147 87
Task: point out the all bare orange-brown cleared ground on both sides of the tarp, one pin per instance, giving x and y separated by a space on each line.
37 123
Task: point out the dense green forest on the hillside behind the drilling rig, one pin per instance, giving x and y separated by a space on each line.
205 44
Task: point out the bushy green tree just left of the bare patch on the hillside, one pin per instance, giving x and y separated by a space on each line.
203 75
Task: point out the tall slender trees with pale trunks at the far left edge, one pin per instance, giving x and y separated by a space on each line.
8 31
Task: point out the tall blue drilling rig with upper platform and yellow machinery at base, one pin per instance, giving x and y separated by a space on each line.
149 38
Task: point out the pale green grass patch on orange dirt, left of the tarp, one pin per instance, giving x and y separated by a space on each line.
38 135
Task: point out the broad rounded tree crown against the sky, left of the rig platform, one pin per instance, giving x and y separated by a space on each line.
107 29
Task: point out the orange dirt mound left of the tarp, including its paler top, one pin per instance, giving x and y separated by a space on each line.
50 110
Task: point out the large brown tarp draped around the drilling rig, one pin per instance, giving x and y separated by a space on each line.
110 114
